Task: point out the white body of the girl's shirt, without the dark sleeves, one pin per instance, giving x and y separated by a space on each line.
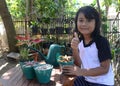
89 58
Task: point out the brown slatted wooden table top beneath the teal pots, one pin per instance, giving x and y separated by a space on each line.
15 77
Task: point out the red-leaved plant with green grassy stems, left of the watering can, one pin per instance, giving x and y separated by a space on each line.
26 41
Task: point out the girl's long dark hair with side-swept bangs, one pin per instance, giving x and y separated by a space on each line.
90 13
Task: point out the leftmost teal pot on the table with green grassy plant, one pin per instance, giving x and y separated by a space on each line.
27 63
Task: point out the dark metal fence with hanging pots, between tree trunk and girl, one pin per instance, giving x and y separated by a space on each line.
53 29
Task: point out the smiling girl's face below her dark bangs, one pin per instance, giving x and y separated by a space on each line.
85 26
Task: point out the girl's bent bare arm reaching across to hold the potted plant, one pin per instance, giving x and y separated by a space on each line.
77 71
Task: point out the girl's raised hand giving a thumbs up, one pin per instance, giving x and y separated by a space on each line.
75 41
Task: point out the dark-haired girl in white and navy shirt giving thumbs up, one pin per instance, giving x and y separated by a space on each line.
91 51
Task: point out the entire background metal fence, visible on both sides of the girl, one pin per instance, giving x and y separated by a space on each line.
60 28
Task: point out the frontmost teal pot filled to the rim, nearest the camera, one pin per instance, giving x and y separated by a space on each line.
43 73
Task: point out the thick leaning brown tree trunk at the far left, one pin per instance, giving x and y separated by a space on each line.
9 27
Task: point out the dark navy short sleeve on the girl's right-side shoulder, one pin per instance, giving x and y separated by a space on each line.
103 47
